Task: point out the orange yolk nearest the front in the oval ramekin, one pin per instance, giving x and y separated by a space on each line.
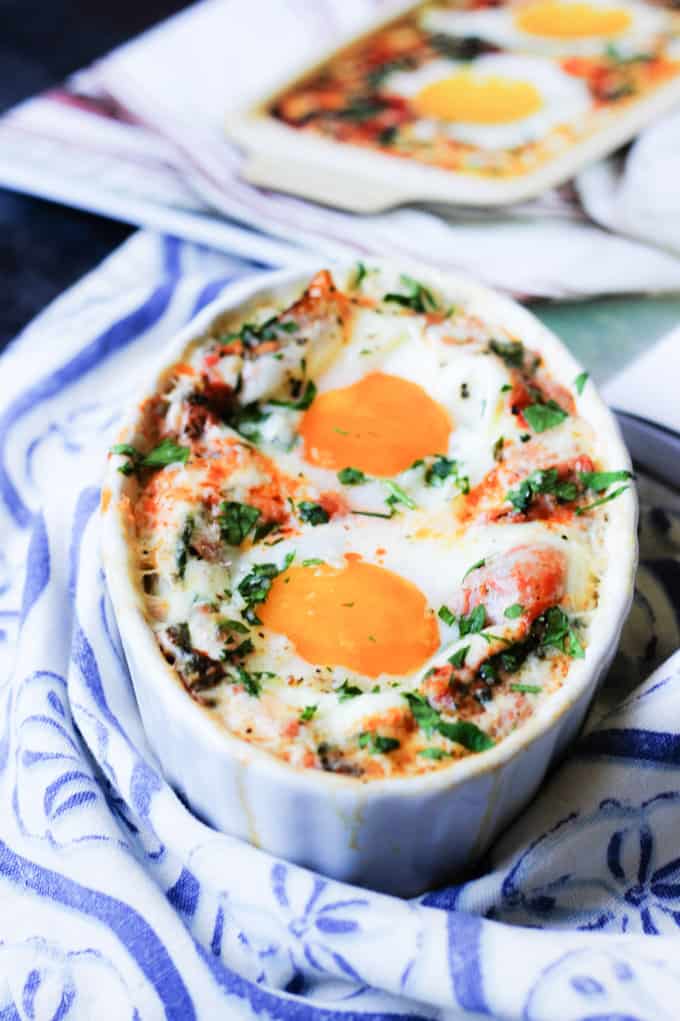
362 617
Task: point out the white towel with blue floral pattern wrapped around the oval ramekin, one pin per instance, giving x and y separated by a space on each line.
117 903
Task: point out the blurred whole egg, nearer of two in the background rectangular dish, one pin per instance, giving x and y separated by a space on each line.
498 102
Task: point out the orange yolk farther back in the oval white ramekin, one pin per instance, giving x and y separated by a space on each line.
381 425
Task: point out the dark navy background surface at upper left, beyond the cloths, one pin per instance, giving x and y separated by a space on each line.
44 248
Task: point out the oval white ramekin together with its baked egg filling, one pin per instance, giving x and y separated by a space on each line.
370 540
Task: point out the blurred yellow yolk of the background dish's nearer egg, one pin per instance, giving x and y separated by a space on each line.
479 101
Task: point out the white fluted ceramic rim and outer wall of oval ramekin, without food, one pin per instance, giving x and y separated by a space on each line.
399 836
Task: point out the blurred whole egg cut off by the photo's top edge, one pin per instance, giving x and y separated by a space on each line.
558 28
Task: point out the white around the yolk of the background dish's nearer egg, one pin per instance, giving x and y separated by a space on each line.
564 99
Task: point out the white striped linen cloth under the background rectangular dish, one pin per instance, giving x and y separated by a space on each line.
140 135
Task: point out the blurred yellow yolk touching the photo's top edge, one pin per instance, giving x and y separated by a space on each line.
556 20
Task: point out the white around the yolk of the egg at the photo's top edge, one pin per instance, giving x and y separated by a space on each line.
498 26
